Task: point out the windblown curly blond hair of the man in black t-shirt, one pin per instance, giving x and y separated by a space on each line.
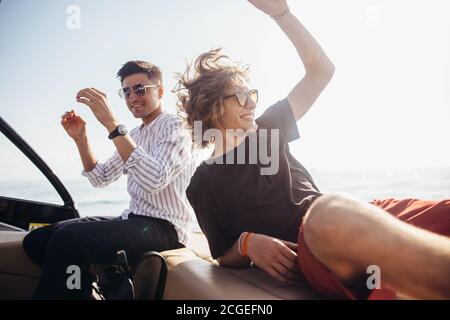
201 89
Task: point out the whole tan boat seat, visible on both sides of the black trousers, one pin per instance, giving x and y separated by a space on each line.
192 274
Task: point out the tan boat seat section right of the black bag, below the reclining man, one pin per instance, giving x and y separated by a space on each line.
194 275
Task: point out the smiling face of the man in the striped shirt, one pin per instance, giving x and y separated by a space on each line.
148 106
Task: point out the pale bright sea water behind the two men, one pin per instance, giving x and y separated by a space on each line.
431 183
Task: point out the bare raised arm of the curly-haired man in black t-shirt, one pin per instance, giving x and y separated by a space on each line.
319 68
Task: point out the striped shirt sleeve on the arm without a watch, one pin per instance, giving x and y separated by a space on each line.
105 173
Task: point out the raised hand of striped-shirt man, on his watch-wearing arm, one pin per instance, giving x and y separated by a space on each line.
98 103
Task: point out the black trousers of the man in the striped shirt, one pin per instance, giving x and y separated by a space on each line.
81 242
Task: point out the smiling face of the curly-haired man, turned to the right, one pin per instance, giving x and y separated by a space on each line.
235 115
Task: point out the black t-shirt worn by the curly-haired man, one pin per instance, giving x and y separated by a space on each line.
229 199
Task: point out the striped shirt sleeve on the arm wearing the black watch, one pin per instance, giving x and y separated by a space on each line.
153 171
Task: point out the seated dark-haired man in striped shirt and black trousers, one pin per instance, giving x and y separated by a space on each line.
156 157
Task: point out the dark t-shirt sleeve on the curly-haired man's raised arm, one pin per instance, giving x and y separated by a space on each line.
279 116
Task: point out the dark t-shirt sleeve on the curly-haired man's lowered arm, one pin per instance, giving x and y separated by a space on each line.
207 217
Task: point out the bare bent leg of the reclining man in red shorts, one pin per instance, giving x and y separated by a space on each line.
348 235
